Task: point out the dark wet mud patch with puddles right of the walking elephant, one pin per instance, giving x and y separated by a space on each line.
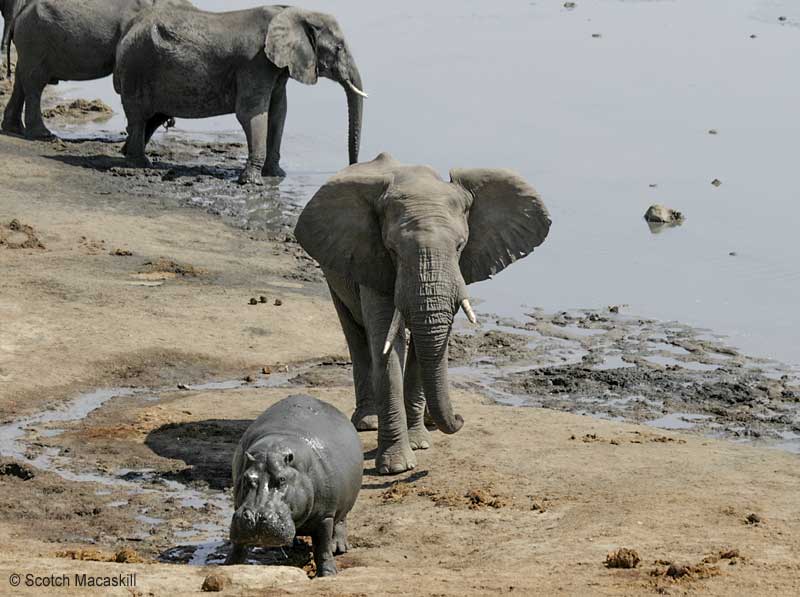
609 365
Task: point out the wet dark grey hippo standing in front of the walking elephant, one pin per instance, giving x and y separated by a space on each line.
297 471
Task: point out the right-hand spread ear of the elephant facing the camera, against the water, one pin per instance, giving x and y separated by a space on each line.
507 221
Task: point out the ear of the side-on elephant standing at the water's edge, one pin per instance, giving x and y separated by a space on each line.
290 44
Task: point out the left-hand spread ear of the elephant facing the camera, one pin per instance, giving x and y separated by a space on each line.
340 229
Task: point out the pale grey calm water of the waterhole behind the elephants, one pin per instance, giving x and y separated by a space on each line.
606 108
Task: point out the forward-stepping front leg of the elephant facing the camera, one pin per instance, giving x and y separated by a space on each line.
394 454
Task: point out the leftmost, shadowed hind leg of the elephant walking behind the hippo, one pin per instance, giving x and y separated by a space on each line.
365 417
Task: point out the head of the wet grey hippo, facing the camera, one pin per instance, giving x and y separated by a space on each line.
272 498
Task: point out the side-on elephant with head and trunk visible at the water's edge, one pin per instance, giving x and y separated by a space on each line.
200 64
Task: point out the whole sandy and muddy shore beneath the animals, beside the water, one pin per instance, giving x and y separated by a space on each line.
523 500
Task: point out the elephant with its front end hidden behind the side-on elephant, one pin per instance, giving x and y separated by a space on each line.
64 40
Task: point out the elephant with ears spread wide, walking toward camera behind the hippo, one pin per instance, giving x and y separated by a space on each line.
398 245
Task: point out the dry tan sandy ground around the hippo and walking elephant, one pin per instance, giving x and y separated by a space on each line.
521 501
